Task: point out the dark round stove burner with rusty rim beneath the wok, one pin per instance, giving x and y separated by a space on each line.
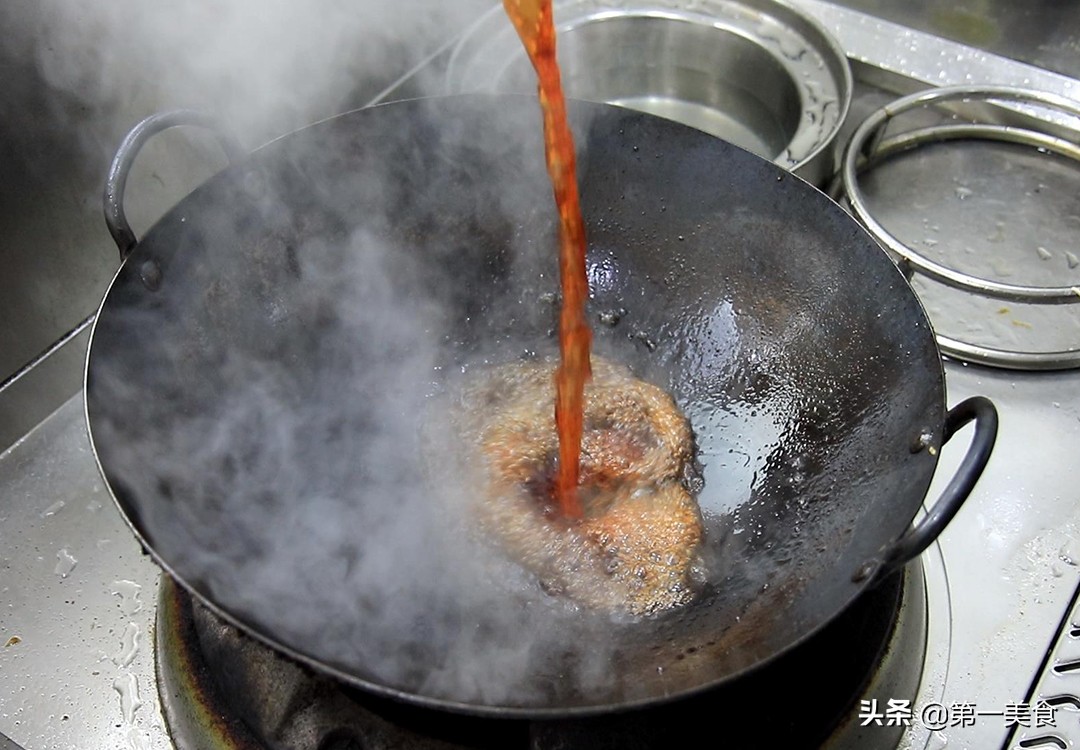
221 689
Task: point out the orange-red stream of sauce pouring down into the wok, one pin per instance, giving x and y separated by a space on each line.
533 19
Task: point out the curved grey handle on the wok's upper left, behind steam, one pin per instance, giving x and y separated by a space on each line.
117 180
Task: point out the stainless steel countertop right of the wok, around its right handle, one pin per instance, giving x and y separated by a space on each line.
1011 553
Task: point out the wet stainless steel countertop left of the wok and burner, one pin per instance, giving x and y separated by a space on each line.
78 595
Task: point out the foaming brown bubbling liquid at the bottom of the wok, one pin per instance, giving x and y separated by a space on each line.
636 551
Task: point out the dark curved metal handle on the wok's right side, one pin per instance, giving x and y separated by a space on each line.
923 534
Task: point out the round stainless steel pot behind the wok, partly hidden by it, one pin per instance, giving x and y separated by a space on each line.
757 73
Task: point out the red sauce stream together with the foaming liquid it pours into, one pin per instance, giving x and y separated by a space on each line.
592 503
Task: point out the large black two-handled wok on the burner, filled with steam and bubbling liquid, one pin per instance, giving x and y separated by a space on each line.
266 371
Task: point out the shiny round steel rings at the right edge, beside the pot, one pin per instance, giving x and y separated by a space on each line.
869 148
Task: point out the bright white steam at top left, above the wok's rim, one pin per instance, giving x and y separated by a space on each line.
264 66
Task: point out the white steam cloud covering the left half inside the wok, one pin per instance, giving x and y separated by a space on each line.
327 502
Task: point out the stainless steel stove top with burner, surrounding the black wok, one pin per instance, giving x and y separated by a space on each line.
978 647
